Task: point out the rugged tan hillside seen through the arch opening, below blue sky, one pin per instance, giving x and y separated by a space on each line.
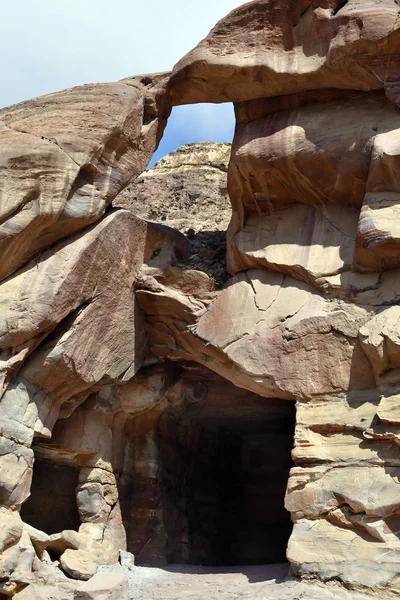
187 190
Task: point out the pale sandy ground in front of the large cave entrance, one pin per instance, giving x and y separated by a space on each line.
185 582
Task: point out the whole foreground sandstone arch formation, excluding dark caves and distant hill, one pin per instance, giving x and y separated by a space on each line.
85 310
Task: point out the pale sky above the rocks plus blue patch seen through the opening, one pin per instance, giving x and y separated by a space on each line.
49 45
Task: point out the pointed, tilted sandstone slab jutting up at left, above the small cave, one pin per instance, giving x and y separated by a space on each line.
76 303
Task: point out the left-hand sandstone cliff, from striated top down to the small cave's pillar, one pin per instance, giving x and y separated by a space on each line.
65 331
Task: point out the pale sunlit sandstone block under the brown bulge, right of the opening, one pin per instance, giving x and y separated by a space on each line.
277 242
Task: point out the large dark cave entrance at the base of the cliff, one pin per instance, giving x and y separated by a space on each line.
225 459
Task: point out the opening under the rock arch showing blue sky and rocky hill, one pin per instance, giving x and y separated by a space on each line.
185 188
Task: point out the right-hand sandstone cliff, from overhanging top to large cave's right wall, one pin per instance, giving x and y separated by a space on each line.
310 312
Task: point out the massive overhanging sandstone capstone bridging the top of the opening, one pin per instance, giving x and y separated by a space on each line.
266 49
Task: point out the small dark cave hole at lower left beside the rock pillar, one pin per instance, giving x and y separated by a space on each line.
51 506
